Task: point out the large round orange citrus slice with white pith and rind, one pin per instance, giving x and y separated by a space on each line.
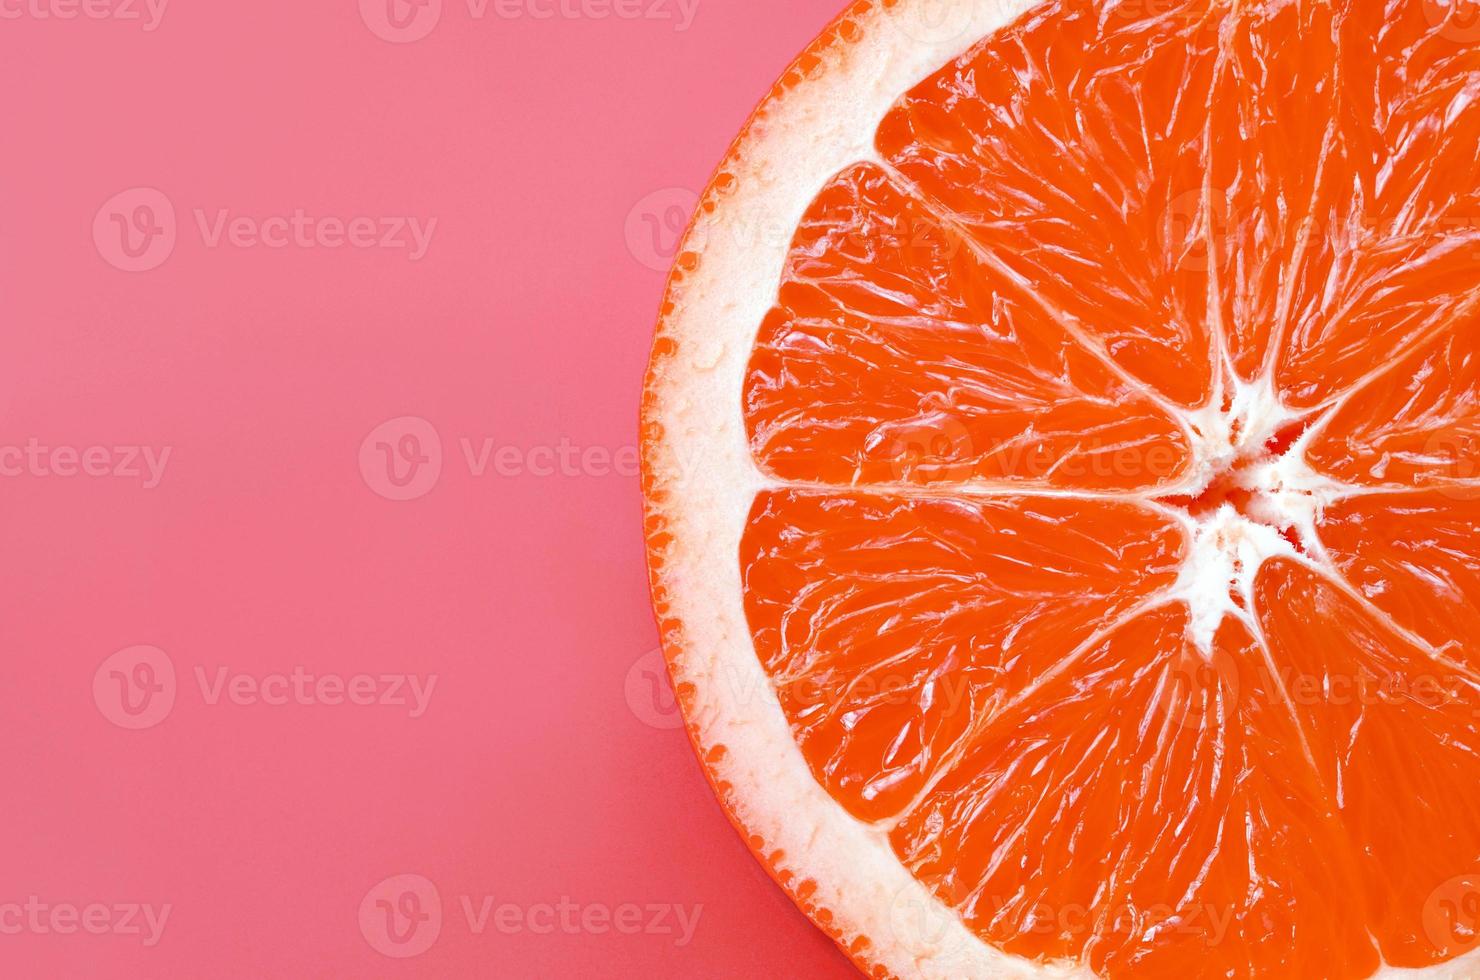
1059 460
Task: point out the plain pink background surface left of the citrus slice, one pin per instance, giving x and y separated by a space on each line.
226 307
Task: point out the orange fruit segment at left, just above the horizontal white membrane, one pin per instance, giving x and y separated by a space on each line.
896 335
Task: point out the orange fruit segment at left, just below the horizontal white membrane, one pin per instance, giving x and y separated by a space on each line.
979 599
